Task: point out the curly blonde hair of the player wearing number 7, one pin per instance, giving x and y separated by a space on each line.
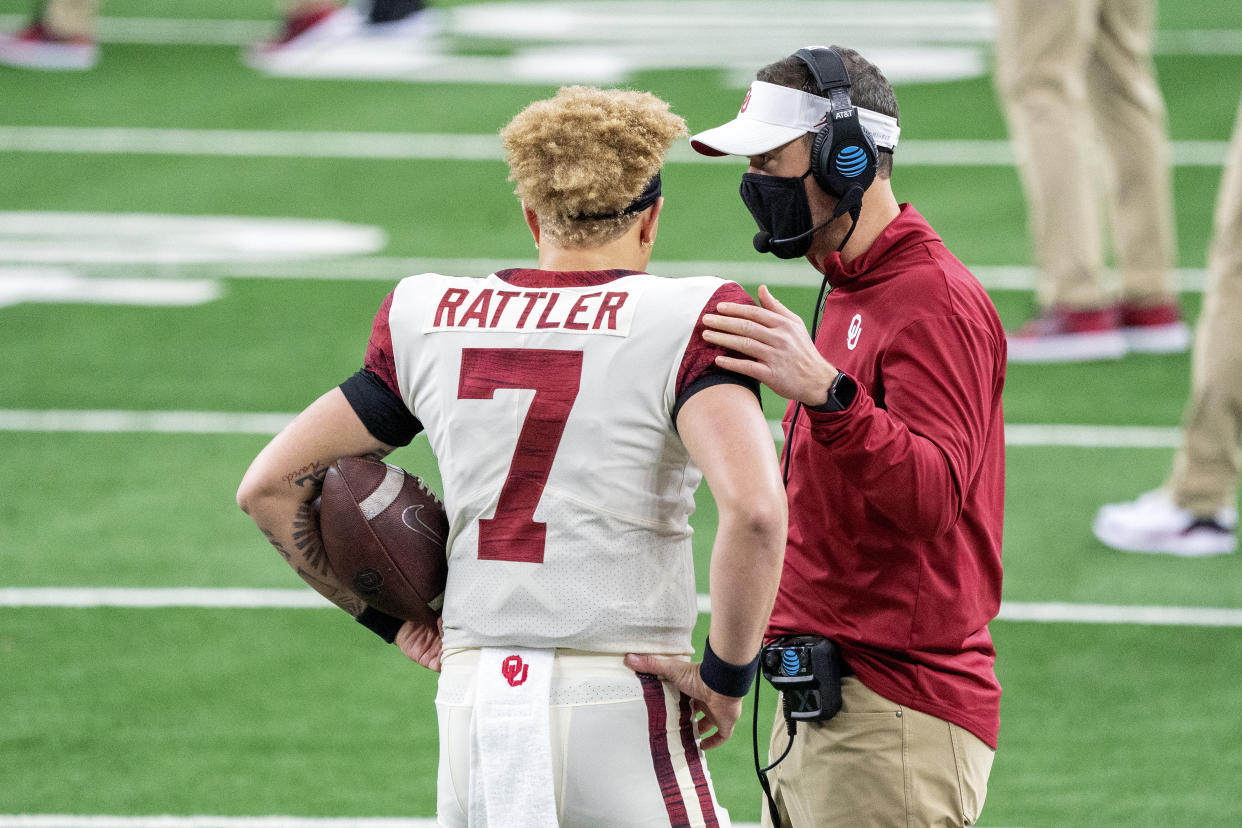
588 153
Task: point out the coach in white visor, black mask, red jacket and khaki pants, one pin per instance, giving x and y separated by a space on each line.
894 457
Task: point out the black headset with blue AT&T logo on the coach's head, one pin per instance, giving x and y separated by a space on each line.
844 153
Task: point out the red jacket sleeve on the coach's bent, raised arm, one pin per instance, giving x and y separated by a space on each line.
916 456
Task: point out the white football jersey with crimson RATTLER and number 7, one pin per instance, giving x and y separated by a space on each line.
550 402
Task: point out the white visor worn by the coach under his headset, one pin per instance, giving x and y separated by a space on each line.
773 116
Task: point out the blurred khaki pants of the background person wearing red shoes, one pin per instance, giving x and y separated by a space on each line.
1086 116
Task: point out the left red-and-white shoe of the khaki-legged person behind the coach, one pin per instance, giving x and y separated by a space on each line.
1065 336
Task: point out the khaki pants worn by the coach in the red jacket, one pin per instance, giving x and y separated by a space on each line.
877 764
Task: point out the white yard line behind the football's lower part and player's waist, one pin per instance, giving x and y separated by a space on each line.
249 599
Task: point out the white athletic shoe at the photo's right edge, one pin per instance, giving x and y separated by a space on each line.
1153 524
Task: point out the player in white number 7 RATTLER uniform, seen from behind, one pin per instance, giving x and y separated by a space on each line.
573 410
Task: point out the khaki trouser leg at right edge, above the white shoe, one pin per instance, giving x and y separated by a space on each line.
1205 474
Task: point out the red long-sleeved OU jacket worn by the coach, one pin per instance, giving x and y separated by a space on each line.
897 502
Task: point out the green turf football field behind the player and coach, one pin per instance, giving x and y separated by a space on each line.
266 711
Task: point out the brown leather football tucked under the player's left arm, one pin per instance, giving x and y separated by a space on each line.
384 533
